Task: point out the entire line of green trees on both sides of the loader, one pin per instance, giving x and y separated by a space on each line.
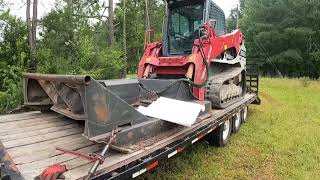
96 38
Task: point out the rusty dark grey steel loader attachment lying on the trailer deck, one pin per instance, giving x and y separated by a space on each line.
104 105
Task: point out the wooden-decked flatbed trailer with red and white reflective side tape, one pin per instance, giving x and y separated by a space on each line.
28 144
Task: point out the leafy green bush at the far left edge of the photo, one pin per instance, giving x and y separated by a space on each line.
14 59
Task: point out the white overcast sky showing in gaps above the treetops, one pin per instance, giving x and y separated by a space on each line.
18 6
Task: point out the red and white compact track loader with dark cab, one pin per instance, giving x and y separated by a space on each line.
197 49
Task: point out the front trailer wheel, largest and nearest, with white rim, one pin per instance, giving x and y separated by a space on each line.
220 136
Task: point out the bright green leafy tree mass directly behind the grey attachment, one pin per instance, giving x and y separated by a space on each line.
74 41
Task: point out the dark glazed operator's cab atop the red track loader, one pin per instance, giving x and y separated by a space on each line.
184 18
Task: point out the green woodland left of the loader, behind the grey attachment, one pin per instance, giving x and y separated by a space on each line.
76 37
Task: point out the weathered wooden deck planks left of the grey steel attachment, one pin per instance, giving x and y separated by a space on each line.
31 139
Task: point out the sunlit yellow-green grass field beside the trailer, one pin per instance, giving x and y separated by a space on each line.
280 141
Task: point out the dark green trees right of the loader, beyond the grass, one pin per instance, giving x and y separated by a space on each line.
283 34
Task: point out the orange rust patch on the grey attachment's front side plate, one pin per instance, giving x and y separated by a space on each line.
101 109
